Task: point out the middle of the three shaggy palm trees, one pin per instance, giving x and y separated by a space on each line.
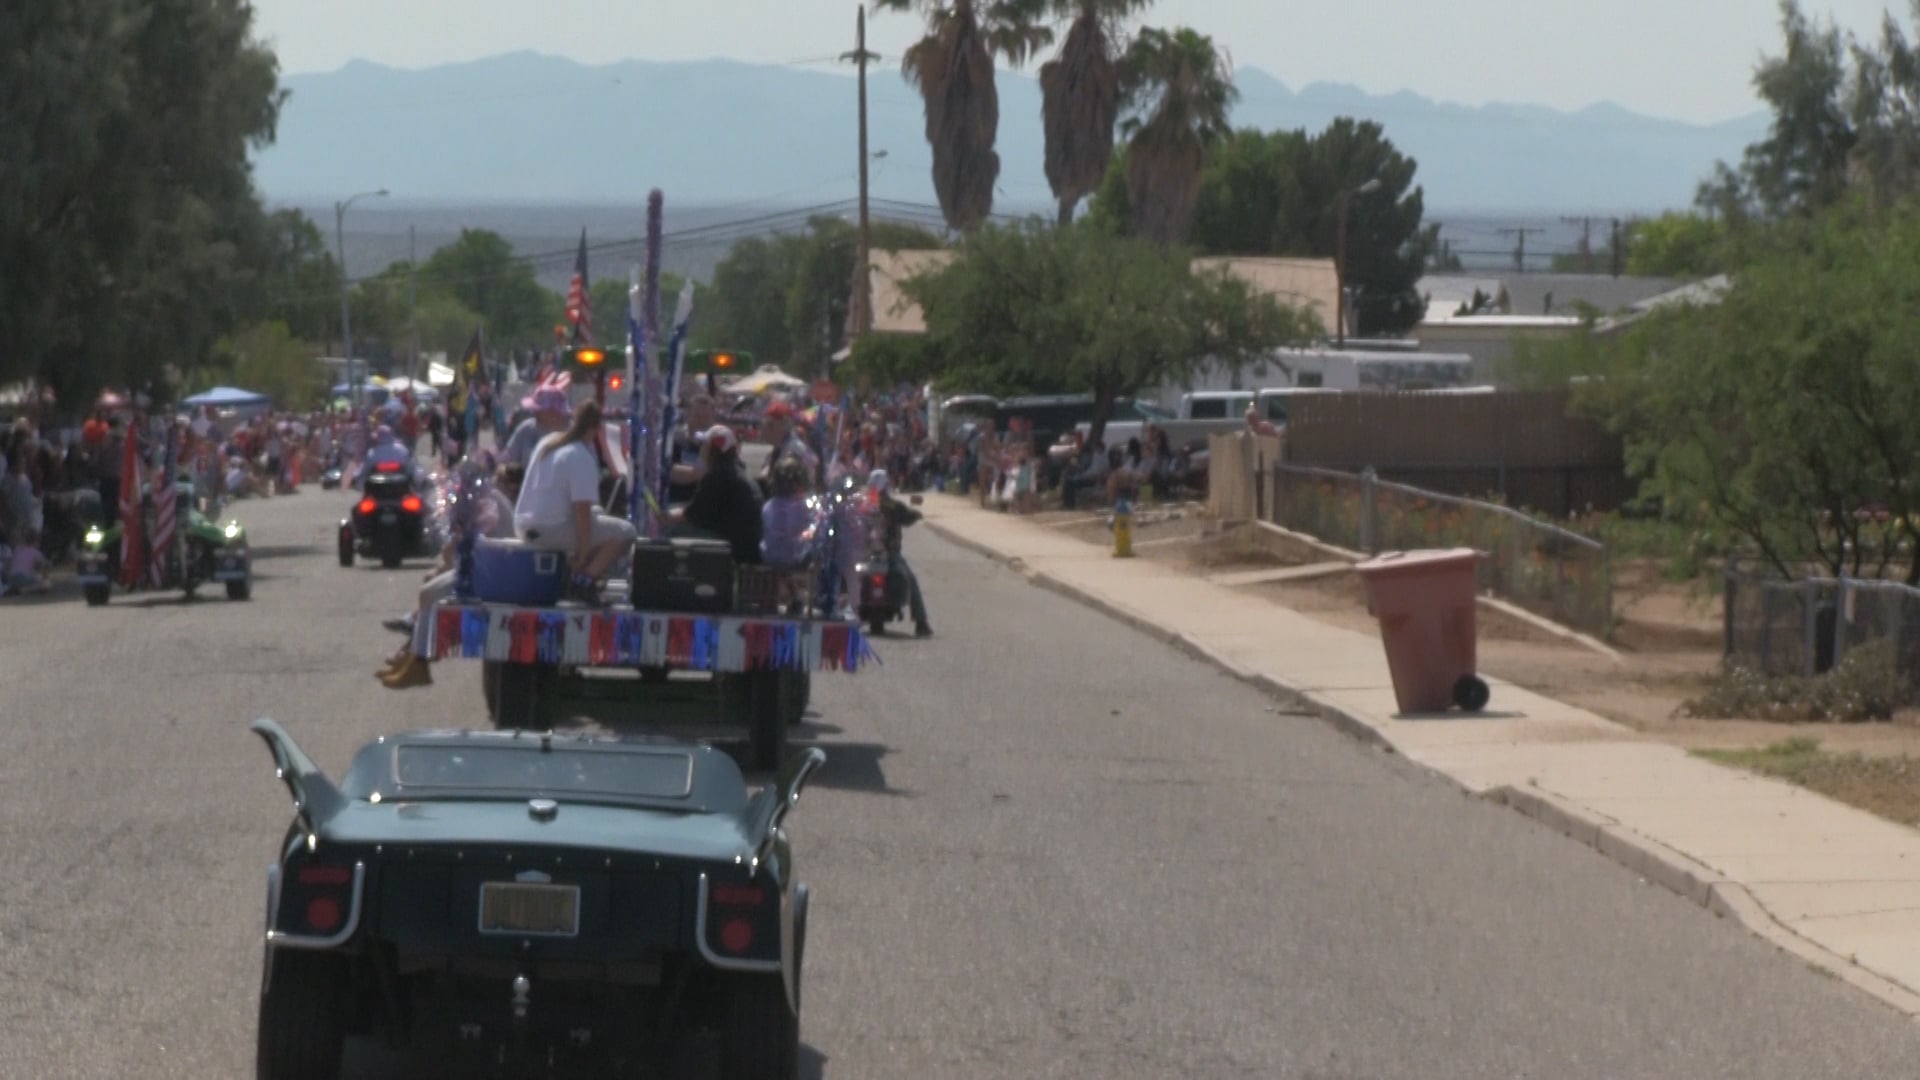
1080 97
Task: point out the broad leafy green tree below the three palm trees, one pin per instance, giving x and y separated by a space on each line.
1082 310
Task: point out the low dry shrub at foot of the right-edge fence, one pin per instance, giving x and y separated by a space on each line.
1867 685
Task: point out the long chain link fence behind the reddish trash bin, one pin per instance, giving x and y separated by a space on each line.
1529 562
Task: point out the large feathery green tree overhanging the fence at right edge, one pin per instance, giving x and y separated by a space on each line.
1785 410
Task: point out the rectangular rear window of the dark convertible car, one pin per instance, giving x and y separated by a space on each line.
606 772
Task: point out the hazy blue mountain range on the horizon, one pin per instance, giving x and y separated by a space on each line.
533 130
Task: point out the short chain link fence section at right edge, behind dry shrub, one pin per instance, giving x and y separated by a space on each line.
1806 627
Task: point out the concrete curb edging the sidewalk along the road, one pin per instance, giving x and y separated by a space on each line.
1639 854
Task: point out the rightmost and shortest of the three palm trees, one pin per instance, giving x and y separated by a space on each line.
1178 91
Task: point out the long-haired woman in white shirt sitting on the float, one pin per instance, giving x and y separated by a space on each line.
560 504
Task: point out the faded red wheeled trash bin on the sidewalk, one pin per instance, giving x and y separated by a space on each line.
1426 604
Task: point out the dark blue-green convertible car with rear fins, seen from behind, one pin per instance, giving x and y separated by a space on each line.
506 900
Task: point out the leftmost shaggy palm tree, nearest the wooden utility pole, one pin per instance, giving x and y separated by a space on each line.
953 68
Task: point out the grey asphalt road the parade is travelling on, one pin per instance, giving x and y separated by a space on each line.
1044 847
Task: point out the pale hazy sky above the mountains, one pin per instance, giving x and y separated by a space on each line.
1673 59
